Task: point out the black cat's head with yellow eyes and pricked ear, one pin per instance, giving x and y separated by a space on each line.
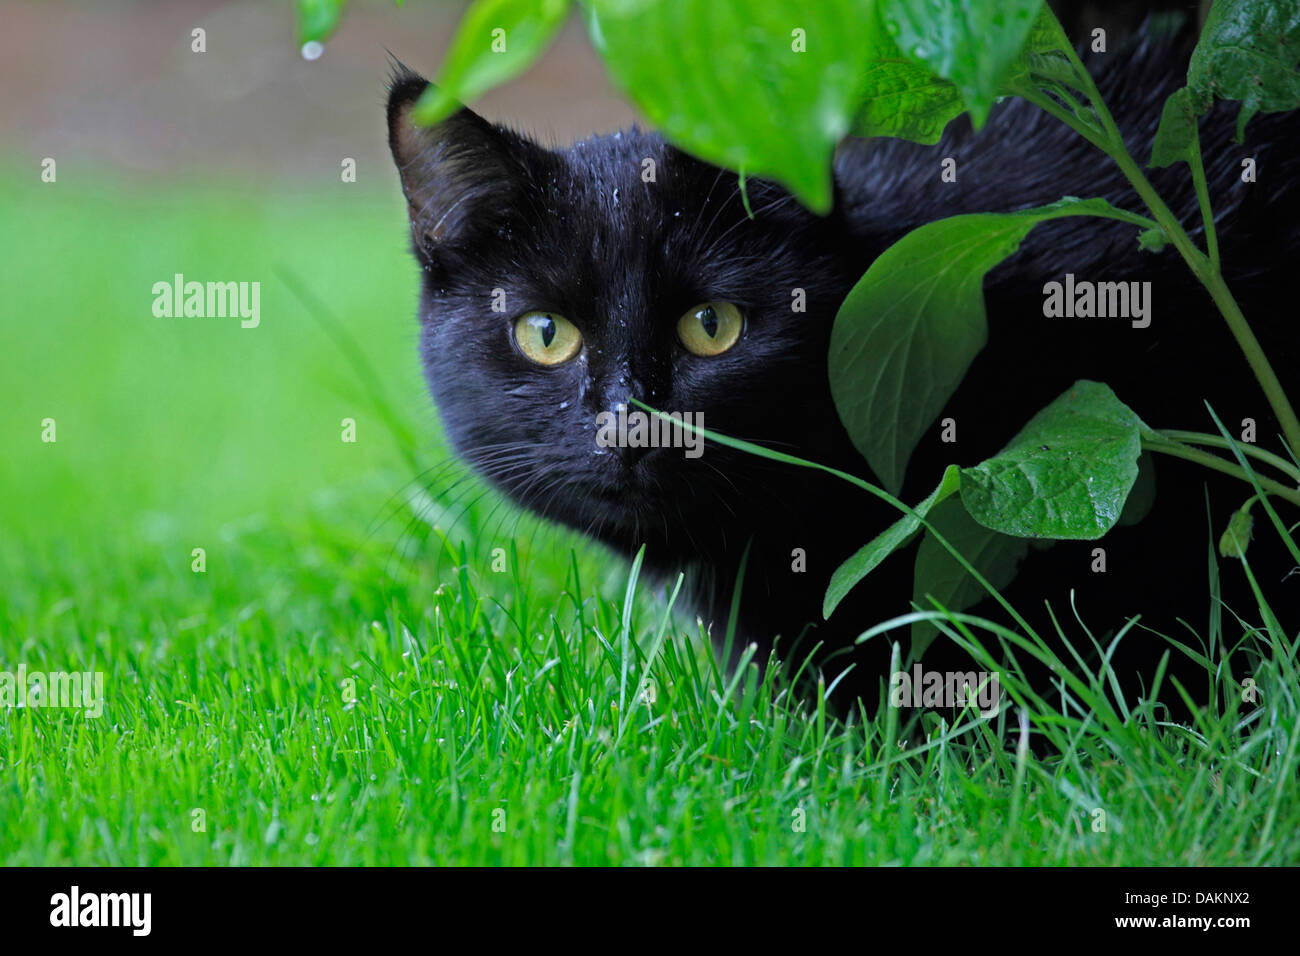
560 284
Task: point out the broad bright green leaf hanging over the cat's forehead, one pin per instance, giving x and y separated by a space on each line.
726 81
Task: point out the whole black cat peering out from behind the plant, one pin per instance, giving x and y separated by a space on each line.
579 233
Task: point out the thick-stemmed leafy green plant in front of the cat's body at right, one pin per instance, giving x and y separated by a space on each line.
933 304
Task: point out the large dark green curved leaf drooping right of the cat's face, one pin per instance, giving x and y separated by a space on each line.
912 326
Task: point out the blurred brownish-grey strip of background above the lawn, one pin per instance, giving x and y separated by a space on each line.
114 85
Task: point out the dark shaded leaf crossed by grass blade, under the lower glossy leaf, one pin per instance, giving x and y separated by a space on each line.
939 574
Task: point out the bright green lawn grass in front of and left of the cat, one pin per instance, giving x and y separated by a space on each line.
350 682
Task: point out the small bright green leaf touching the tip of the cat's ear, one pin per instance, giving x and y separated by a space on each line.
496 42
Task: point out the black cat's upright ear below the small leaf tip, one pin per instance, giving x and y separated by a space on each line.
461 178
